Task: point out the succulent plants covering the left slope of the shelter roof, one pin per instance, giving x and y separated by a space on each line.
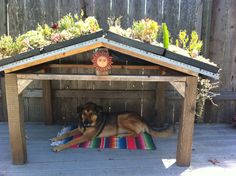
66 28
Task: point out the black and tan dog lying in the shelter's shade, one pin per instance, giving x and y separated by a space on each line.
95 123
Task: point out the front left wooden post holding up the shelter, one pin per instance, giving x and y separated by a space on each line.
15 120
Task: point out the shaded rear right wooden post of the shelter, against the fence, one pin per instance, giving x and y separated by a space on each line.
160 103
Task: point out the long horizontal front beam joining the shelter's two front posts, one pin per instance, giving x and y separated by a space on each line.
101 78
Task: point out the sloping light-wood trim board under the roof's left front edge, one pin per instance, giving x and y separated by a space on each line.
54 57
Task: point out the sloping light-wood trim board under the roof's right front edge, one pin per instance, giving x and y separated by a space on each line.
150 59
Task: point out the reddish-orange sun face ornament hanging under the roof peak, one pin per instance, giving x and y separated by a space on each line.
102 62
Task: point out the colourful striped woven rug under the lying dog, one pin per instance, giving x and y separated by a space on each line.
143 141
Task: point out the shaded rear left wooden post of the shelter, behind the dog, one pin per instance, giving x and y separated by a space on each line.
47 102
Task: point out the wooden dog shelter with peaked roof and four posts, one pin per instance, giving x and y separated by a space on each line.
181 72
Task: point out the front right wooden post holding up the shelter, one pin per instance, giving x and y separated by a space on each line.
184 147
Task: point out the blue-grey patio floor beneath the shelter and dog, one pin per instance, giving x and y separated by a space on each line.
214 153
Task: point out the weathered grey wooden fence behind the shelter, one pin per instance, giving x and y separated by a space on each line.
212 19
